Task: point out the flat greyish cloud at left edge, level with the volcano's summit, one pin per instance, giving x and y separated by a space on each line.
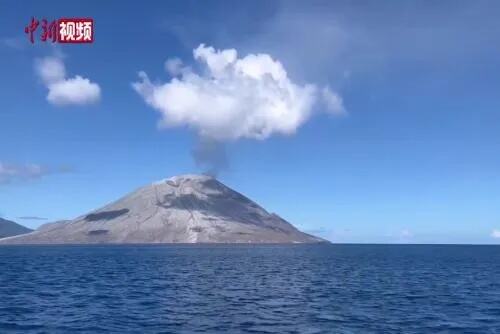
10 173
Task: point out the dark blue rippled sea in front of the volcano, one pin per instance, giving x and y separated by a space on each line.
250 289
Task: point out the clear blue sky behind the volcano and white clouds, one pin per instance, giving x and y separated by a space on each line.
414 157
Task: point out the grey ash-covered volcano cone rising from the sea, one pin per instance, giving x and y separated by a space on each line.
182 209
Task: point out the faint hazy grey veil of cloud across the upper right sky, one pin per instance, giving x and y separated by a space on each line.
331 41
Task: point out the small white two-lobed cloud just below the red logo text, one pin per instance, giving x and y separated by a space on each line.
65 91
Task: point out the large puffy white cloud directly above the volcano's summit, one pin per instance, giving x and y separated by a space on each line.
232 98
